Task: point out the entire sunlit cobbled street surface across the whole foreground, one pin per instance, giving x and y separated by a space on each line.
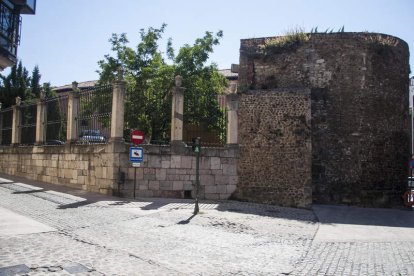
79 233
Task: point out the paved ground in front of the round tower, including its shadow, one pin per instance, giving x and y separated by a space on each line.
360 241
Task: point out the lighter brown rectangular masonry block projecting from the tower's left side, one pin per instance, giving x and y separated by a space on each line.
275 147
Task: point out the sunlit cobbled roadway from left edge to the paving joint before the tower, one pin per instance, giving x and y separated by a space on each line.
99 235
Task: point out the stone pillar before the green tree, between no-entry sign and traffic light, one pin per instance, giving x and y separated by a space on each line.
177 111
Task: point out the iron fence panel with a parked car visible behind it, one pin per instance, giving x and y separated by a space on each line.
94 115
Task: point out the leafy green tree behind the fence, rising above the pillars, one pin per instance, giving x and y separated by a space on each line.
149 74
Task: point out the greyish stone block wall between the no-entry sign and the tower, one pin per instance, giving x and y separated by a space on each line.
170 172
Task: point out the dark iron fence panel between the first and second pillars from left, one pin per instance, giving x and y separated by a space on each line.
28 123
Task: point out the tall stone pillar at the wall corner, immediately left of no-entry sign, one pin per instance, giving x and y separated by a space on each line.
118 109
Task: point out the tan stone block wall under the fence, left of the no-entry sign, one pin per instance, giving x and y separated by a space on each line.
87 167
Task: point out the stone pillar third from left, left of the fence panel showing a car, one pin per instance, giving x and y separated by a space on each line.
73 109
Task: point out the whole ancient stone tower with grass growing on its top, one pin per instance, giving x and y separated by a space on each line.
324 118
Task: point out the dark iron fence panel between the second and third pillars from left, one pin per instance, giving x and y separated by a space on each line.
56 120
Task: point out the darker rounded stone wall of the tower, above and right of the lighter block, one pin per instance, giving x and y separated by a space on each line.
359 88
